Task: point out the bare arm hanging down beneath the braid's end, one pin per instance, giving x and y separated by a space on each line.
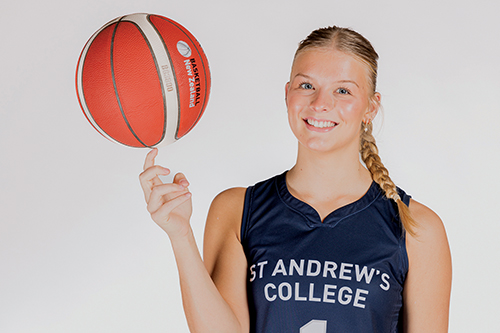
427 288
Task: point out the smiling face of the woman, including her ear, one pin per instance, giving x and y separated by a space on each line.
328 97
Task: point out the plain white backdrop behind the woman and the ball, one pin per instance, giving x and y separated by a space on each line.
78 251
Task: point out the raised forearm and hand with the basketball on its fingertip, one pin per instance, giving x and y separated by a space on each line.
170 207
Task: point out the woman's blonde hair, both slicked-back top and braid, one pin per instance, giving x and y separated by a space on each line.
353 43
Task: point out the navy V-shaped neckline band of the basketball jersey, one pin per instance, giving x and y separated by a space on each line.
334 217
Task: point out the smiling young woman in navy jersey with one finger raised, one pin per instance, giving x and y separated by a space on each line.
332 245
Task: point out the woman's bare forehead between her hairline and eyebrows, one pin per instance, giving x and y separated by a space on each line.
330 63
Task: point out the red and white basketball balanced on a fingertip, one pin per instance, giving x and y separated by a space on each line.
143 80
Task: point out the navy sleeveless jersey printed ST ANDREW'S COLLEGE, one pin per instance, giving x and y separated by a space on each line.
344 274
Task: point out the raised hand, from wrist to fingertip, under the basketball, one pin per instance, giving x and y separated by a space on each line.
168 203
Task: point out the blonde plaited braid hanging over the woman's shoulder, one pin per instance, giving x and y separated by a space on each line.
369 153
